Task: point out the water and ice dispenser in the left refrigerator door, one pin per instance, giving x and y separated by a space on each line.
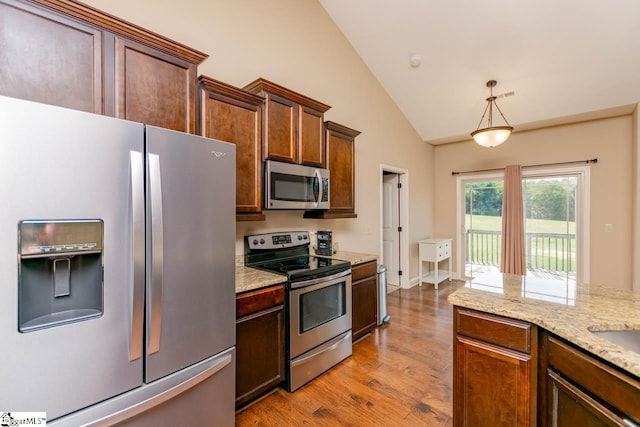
60 272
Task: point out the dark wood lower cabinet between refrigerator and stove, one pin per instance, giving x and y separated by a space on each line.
259 343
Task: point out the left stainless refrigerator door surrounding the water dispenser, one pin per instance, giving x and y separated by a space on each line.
60 164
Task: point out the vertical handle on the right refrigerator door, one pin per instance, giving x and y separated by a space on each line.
157 256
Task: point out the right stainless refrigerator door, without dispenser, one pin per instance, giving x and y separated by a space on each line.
191 250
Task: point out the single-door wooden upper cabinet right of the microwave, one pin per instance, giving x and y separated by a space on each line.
340 160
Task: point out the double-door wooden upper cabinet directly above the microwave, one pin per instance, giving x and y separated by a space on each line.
293 124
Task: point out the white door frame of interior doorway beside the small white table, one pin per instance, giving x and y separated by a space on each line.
403 177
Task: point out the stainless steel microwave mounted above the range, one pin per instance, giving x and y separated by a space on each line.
289 186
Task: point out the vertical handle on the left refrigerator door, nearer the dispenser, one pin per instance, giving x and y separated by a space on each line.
137 213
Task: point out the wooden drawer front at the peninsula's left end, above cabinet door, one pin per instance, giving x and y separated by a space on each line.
502 331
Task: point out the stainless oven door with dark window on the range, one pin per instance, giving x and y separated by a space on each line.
319 310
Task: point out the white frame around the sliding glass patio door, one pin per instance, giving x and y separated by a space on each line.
582 221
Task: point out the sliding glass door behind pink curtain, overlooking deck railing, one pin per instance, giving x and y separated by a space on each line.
555 216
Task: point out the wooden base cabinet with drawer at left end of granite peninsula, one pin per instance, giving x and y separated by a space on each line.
495 371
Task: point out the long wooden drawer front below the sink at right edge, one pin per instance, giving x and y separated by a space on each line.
621 391
